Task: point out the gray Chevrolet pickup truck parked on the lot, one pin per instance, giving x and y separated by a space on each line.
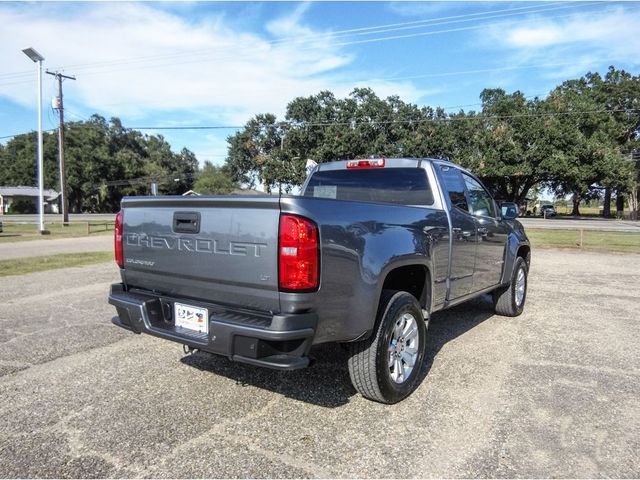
364 256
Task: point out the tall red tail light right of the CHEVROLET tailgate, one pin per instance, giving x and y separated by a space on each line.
298 258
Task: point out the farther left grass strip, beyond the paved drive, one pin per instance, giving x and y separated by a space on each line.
17 232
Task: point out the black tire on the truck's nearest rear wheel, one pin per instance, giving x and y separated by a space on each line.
369 360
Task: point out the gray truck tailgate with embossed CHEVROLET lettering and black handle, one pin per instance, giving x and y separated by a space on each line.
213 249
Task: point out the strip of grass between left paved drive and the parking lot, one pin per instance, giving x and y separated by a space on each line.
20 266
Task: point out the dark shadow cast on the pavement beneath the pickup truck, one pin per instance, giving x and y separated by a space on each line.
326 383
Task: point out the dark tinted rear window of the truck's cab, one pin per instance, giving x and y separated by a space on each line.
405 186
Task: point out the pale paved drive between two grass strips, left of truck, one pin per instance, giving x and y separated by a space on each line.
34 248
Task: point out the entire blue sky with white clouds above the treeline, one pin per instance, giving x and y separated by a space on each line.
206 63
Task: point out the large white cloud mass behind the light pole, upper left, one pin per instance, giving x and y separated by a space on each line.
134 60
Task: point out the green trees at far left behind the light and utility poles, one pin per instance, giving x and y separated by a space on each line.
104 161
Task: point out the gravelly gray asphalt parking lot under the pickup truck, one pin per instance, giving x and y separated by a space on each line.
553 393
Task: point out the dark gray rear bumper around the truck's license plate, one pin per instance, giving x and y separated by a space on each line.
276 341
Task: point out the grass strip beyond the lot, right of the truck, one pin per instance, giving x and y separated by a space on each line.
593 240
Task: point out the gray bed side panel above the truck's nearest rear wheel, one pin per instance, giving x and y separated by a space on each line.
360 244
